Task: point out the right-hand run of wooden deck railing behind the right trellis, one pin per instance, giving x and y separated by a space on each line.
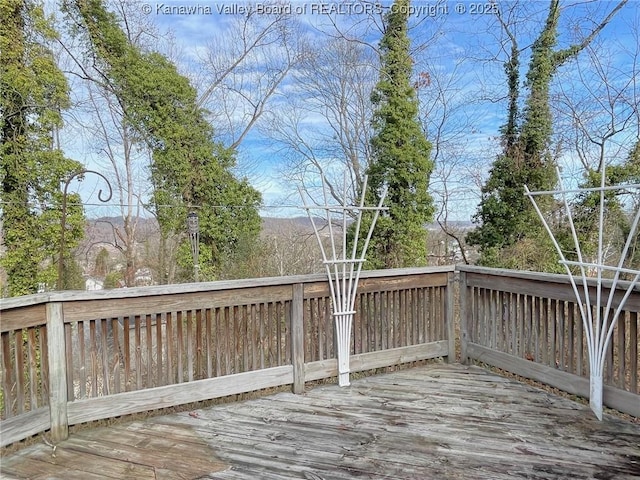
529 324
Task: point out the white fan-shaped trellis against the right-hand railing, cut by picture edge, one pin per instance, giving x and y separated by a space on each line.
598 324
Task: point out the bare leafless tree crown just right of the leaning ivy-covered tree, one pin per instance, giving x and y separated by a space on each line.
244 69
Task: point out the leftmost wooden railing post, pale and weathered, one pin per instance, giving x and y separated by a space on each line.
56 349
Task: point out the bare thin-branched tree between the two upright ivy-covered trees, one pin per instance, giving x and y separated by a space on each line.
451 123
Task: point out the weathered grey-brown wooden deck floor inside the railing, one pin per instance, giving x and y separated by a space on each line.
431 422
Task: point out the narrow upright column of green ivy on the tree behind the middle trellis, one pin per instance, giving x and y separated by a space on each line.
400 155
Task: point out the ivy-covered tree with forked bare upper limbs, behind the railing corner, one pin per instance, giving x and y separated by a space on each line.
505 216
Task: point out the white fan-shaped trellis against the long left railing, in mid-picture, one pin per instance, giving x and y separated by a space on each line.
343 273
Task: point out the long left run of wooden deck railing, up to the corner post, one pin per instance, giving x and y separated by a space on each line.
73 357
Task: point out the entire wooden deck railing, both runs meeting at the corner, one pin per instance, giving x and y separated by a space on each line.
73 357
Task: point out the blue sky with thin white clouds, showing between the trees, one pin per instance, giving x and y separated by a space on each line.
459 44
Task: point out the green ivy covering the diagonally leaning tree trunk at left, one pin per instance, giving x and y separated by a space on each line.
189 170
